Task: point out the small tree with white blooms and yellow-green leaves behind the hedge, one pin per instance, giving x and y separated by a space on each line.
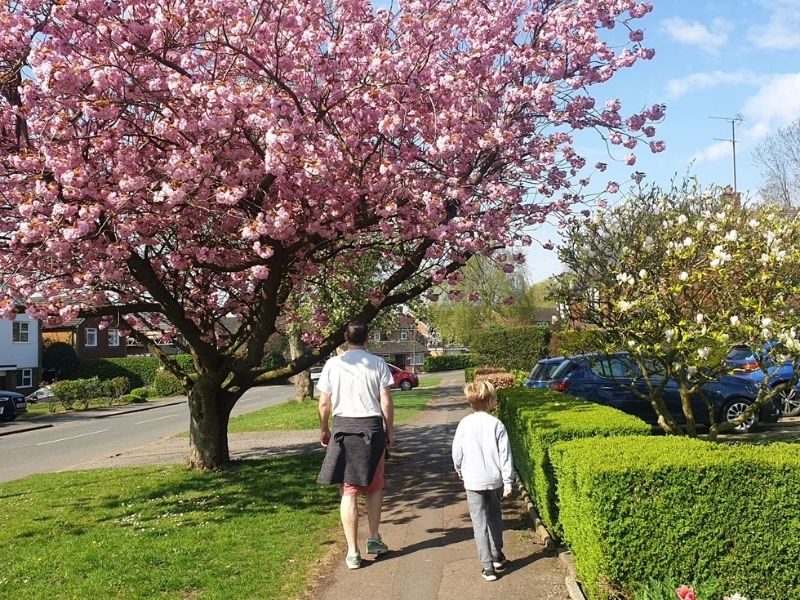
674 278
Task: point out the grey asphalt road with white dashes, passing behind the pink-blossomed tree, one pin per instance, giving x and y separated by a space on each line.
82 439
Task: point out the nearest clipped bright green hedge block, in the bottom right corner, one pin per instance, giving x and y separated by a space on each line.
638 509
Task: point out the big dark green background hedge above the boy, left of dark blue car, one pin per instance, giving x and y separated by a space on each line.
512 347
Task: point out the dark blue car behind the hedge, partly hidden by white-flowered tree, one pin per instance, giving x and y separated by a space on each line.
610 379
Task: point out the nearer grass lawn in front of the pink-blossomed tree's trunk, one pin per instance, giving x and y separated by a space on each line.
255 531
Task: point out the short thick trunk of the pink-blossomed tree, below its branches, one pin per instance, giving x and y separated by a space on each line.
208 425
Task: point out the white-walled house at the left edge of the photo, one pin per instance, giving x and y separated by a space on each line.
20 355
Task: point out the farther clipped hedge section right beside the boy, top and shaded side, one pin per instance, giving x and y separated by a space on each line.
537 419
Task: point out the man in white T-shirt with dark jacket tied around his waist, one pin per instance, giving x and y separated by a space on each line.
354 387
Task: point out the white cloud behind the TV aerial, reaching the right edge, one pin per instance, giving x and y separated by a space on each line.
775 104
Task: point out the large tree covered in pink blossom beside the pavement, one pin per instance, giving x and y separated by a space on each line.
170 164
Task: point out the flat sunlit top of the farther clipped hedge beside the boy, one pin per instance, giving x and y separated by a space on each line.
553 416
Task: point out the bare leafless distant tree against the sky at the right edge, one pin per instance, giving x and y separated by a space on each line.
778 156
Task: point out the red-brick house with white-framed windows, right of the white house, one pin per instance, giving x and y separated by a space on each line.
88 338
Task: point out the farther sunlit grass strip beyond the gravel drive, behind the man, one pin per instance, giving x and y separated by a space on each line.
304 415
